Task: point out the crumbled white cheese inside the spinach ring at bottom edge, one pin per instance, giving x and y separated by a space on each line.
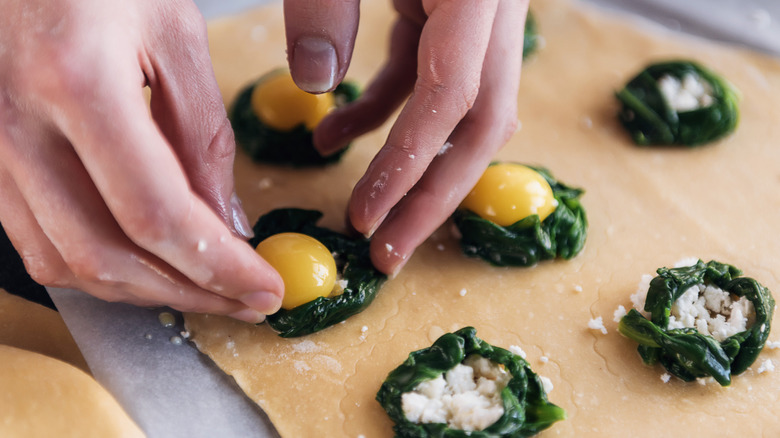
467 397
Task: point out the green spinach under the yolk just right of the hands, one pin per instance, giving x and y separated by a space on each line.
529 240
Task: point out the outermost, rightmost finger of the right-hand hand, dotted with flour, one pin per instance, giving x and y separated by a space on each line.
452 174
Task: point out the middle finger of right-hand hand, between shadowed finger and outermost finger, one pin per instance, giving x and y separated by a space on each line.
448 76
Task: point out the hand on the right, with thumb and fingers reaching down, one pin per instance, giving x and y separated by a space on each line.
461 61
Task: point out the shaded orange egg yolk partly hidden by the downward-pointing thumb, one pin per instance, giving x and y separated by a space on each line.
280 104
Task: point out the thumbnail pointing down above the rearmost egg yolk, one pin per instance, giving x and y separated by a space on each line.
314 64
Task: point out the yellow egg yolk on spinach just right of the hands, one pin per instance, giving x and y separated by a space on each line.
507 193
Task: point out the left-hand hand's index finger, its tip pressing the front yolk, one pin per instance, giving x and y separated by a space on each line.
147 192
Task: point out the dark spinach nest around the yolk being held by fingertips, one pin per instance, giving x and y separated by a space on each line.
353 263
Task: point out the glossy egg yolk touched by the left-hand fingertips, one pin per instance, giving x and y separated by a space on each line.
306 266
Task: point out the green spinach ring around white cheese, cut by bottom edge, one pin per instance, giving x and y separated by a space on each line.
526 409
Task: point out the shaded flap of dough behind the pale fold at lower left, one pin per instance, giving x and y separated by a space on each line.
30 326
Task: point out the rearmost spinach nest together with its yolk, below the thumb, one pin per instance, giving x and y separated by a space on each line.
286 136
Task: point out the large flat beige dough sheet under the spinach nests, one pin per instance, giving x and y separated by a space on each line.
647 208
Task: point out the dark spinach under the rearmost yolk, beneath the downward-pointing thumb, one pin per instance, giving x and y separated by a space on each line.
266 144
